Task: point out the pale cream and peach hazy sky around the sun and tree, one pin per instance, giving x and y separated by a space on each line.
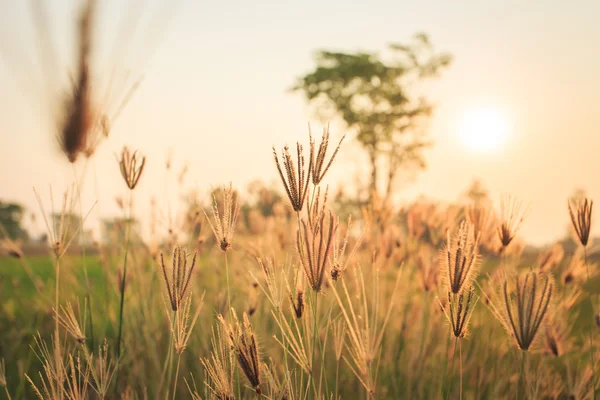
215 95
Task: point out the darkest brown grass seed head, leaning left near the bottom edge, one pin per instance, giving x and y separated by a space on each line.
242 341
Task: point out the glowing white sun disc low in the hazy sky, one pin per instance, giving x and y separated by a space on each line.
484 129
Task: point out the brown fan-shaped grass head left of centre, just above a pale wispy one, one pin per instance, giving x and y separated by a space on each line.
181 275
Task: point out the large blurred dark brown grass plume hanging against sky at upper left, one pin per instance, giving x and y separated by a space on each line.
78 114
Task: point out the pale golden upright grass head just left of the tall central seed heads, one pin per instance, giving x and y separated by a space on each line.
224 227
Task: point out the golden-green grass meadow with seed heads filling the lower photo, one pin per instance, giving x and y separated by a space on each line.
290 301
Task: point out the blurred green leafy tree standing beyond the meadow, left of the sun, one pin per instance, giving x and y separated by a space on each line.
372 97
